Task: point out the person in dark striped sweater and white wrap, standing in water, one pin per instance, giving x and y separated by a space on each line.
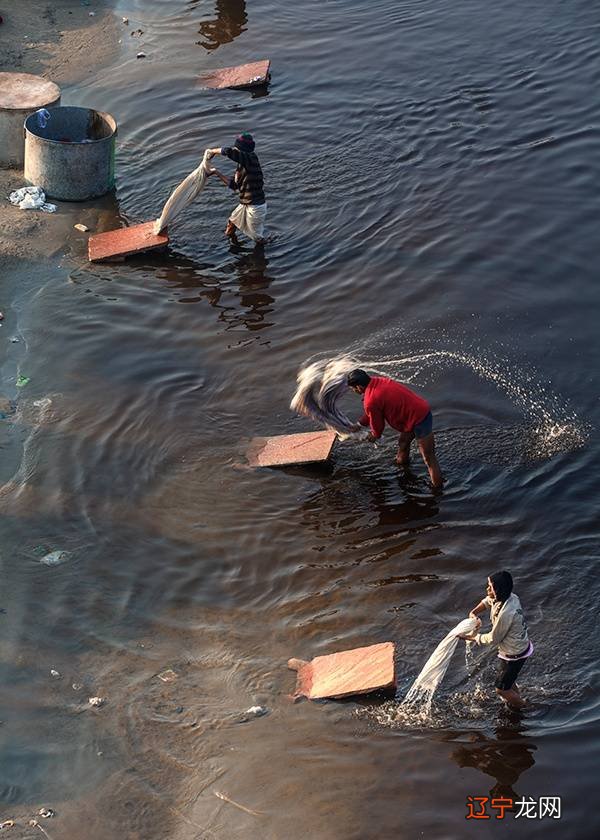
251 213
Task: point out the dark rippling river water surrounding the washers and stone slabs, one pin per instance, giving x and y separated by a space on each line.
432 174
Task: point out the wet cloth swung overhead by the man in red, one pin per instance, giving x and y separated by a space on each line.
321 385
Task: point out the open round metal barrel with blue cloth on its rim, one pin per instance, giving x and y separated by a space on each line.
72 158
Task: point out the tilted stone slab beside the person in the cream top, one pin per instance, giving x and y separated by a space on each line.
343 674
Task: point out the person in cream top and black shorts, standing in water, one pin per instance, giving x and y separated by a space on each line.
508 634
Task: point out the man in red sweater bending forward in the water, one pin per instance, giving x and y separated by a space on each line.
387 401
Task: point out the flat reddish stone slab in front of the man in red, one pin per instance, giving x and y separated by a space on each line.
285 450
